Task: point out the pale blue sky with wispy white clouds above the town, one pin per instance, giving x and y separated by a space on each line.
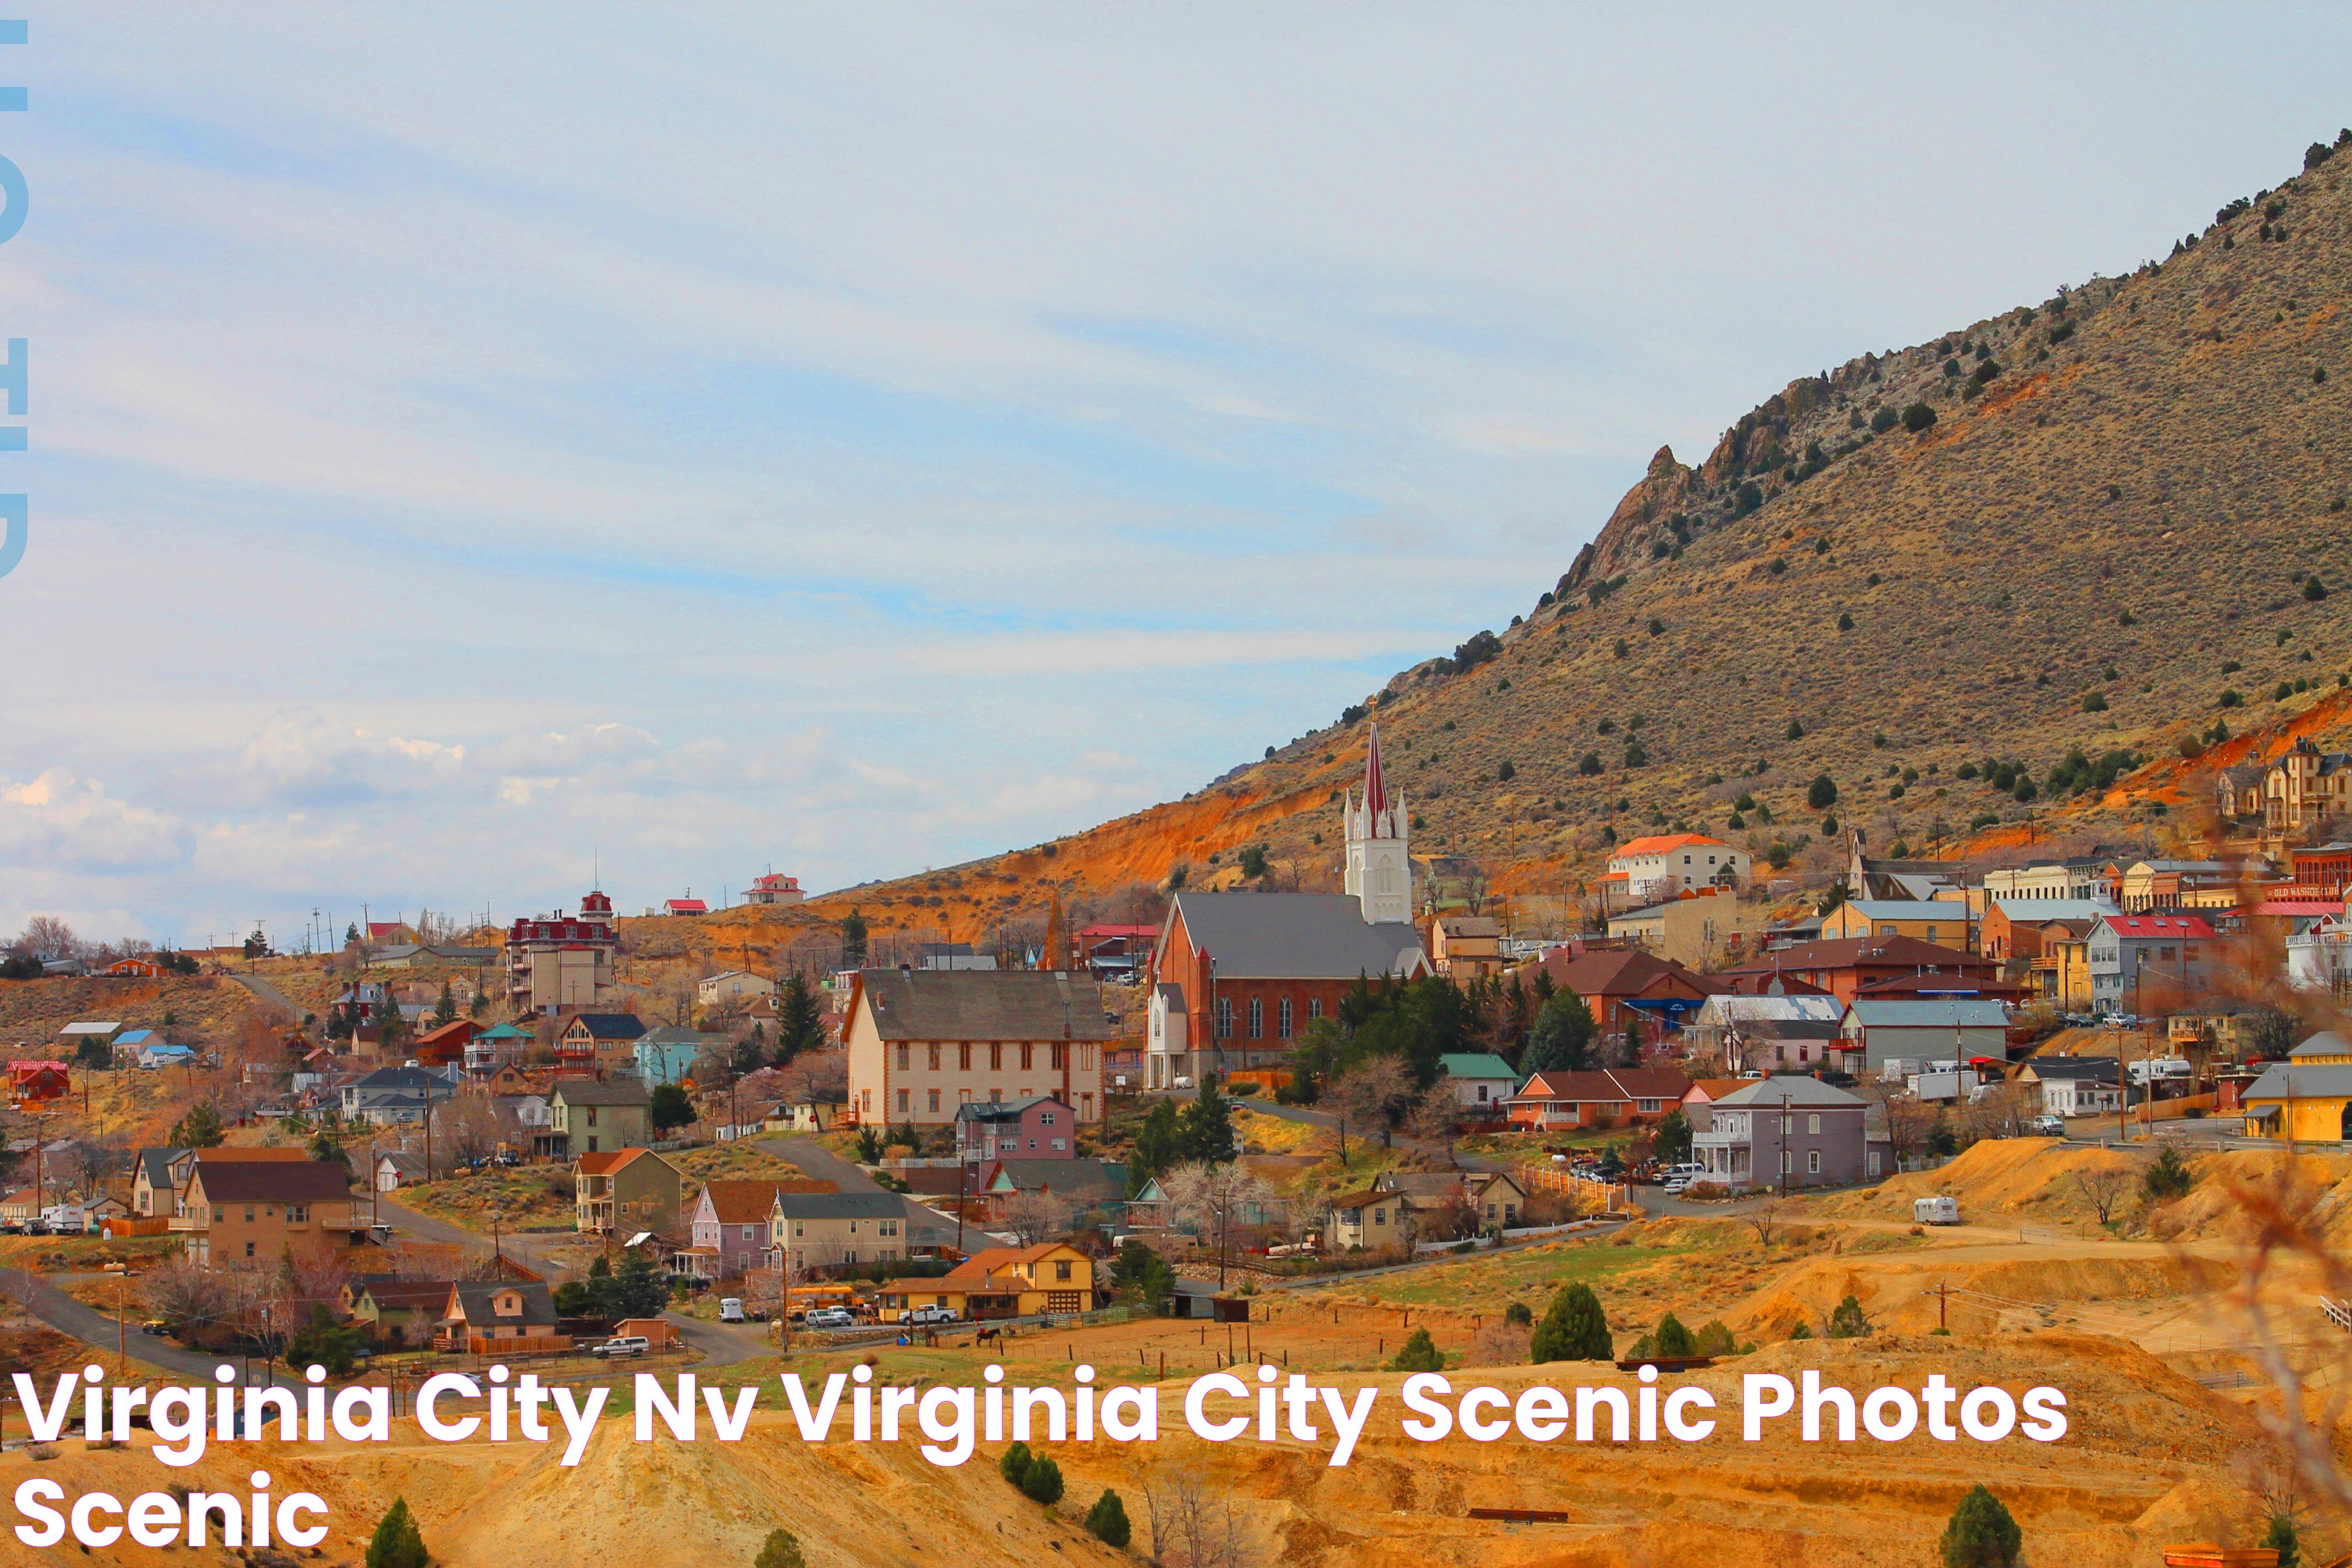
862 438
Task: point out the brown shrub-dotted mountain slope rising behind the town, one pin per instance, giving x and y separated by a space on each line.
2123 492
